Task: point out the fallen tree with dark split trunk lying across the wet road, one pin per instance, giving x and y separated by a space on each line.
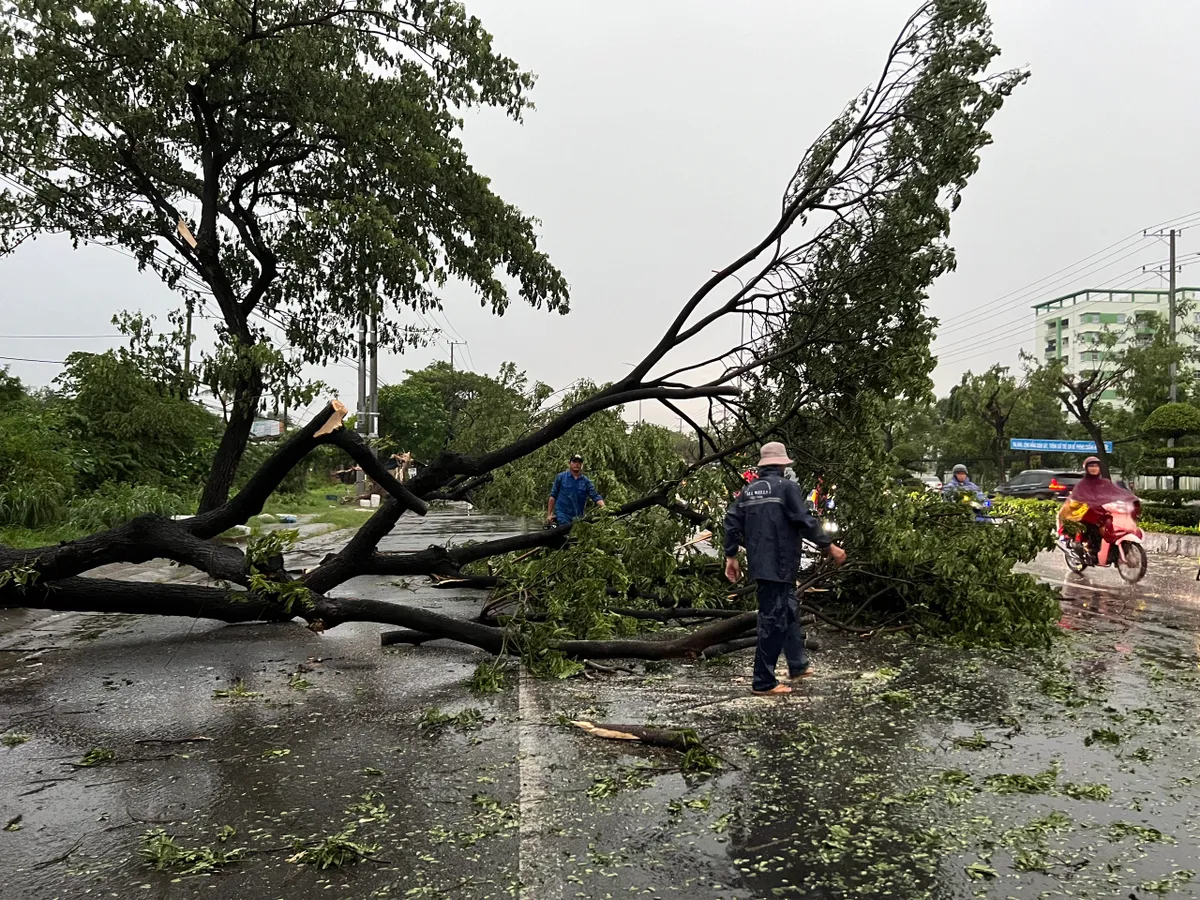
835 295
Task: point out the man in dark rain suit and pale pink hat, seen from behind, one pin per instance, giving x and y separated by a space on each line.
769 519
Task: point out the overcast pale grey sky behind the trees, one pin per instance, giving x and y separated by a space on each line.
665 131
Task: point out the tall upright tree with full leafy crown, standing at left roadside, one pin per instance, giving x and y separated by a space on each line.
296 164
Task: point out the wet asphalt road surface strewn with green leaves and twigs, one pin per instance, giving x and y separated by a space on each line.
242 758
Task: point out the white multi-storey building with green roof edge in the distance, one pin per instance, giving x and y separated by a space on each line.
1069 328
